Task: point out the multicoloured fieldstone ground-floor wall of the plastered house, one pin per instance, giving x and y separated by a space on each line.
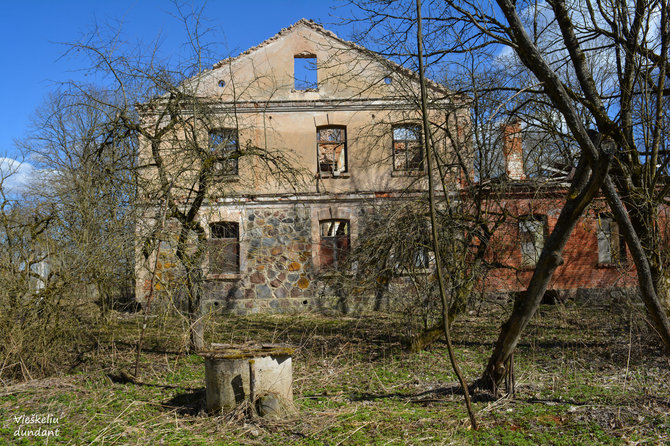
279 273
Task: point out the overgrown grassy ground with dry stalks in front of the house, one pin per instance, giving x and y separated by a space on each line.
585 375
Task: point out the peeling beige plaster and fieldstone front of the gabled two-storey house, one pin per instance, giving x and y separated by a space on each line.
279 223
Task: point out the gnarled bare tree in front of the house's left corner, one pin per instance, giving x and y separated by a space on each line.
183 159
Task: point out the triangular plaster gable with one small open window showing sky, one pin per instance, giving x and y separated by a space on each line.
346 70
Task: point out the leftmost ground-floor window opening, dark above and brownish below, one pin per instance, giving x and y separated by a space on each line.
224 248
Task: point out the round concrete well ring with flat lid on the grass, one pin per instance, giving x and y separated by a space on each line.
259 374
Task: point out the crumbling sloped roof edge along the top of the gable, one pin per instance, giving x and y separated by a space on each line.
392 66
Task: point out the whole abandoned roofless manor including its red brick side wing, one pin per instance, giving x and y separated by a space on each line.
315 131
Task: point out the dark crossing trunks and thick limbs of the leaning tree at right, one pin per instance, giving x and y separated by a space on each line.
639 52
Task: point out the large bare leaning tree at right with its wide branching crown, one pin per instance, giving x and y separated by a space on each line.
596 63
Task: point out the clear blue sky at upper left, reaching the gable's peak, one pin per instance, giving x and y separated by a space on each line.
30 32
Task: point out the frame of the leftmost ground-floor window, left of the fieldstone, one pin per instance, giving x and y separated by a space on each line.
224 239
